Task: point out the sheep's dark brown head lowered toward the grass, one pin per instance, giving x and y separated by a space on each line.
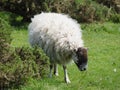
80 58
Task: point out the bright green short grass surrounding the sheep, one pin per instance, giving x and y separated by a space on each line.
103 42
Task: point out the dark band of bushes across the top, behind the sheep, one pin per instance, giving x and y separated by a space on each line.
82 10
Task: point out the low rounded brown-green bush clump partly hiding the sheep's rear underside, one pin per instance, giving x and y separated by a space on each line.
22 65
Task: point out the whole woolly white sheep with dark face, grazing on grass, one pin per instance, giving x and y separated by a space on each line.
60 37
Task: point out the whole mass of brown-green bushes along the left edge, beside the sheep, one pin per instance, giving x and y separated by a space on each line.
17 65
